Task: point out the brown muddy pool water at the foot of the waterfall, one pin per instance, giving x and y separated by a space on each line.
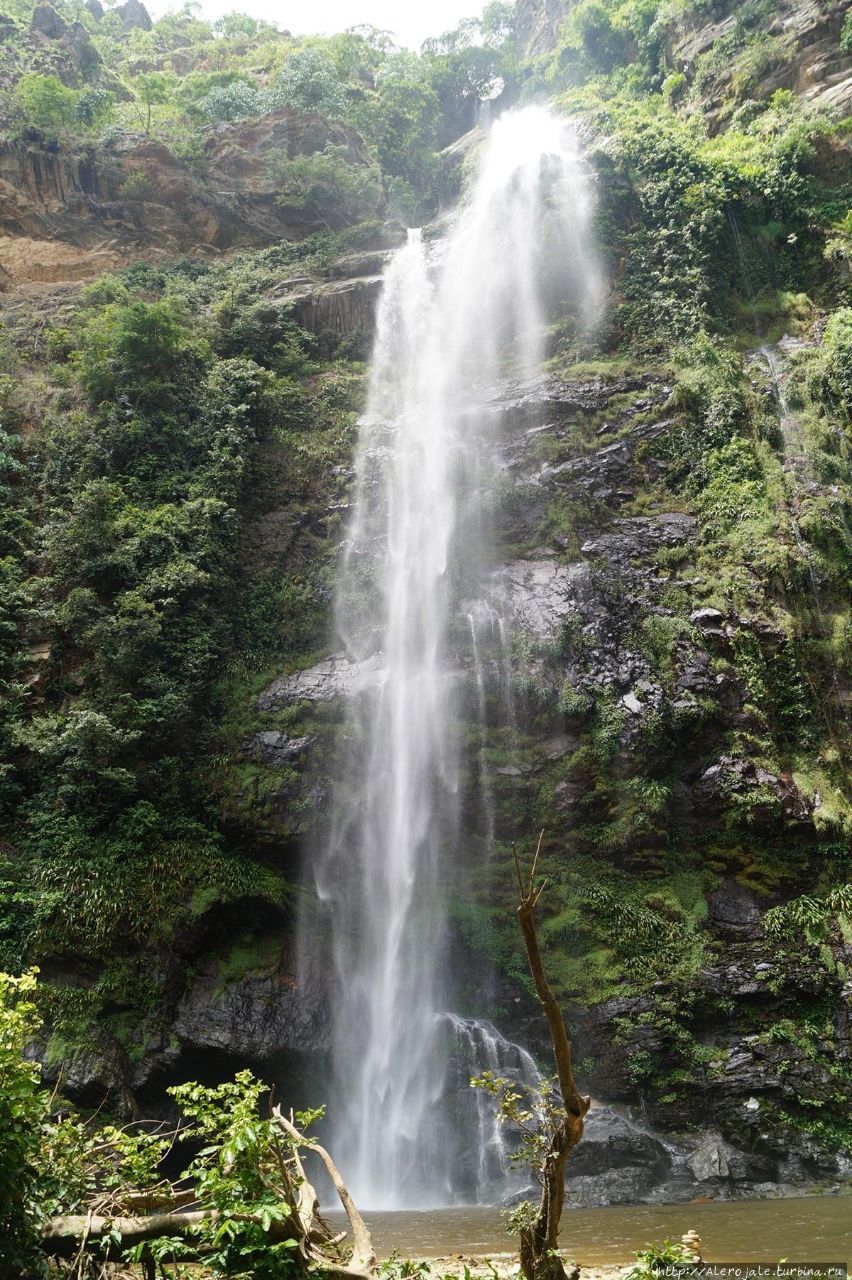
808 1229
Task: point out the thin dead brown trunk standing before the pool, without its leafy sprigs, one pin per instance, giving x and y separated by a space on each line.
539 1258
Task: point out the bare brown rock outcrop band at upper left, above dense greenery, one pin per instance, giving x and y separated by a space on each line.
68 214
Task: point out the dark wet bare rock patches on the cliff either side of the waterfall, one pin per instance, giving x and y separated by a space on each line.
576 601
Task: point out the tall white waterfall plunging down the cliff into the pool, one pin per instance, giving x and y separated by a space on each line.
456 317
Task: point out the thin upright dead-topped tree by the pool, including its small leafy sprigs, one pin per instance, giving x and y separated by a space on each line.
549 1130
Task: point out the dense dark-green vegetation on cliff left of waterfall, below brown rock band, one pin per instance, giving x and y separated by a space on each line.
130 620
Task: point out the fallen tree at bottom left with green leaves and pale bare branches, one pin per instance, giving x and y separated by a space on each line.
244 1205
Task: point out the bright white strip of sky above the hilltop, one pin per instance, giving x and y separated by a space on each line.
411 21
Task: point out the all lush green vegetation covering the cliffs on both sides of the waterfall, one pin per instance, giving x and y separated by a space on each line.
153 422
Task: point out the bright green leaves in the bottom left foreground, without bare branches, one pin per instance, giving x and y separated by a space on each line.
53 1164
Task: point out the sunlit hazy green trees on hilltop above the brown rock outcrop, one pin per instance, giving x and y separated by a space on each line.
185 75
